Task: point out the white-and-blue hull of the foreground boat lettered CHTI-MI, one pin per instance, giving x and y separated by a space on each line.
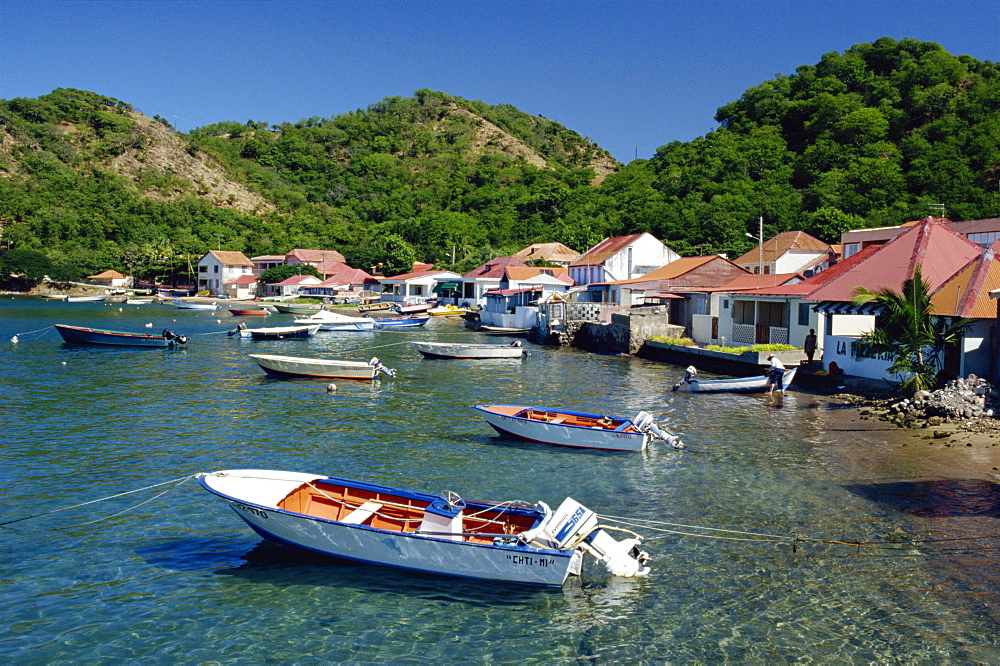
256 505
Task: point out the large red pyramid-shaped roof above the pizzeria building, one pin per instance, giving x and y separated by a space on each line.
936 248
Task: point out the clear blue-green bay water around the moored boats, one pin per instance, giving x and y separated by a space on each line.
181 579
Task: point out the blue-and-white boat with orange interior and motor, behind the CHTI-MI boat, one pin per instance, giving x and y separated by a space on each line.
561 427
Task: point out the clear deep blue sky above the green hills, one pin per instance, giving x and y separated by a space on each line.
632 76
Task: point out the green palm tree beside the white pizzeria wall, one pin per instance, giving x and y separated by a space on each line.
908 333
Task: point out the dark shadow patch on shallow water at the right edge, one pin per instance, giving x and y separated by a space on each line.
935 498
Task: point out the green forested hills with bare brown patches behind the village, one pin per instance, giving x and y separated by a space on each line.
873 136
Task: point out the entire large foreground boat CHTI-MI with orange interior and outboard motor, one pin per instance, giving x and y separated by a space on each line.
501 541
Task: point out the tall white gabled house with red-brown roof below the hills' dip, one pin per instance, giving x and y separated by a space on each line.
621 258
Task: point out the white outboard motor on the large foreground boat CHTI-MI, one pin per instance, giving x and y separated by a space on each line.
575 526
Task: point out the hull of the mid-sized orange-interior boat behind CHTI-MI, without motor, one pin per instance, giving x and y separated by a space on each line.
504 419
